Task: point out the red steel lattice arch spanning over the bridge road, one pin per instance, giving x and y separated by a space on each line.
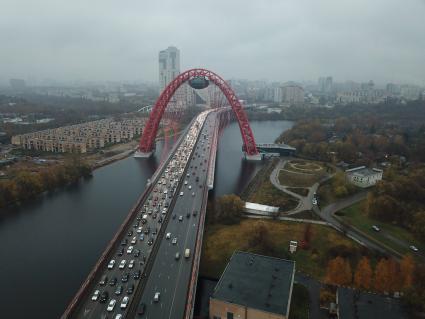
149 133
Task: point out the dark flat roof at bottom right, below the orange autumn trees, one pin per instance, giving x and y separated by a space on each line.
360 305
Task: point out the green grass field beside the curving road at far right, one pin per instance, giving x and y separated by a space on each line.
356 216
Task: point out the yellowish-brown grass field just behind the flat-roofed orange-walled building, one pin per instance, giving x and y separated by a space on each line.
220 241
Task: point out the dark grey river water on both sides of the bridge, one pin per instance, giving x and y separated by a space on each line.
49 245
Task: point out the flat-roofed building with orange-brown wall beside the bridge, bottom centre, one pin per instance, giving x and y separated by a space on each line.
253 286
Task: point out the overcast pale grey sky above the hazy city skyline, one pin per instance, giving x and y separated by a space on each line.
278 40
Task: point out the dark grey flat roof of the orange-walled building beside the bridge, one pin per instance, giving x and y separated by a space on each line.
257 281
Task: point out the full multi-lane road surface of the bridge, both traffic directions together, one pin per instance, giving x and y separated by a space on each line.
143 262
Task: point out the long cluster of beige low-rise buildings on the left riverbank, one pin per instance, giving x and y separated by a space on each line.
81 138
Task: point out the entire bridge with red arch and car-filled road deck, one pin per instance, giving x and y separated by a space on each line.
150 267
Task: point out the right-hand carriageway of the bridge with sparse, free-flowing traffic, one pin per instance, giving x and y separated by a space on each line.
170 276
